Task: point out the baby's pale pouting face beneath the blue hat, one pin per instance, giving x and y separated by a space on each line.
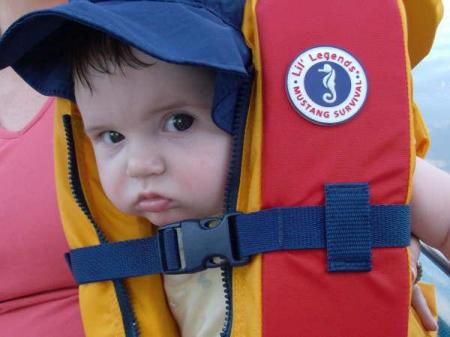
158 152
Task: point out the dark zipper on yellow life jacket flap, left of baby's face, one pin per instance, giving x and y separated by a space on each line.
128 316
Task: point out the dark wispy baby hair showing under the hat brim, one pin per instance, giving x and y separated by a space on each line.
93 50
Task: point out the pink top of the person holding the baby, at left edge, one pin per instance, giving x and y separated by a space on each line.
38 297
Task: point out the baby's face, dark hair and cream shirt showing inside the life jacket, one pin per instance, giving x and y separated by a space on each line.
159 154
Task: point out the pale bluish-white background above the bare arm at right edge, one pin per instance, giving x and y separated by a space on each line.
432 93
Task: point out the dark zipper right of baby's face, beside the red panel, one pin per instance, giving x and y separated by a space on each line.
232 188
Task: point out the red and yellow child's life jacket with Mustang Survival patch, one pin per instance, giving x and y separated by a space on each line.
290 156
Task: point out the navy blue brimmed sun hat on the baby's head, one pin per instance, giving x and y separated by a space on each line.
196 32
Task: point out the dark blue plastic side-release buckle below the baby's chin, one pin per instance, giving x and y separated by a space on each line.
205 243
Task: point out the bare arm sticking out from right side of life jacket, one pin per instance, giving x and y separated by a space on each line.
430 206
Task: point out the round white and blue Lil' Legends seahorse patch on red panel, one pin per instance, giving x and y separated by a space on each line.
326 85
